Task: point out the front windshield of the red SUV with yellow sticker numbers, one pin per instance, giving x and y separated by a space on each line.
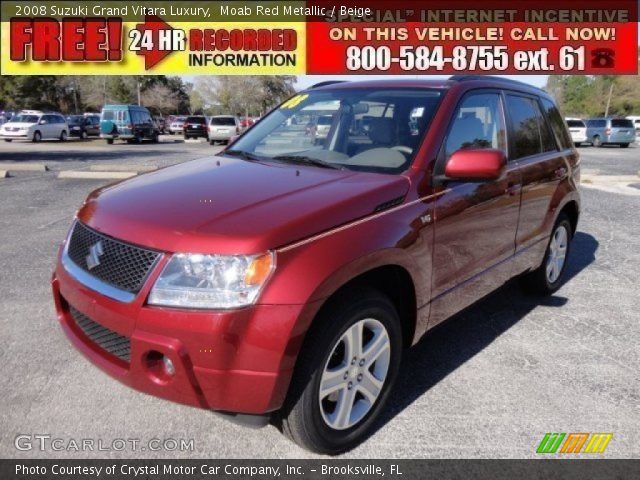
376 130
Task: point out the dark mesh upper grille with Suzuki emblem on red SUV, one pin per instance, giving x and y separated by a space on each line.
121 265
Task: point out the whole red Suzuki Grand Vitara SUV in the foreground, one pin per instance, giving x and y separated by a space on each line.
282 279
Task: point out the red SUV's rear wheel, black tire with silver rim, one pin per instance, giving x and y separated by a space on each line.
548 277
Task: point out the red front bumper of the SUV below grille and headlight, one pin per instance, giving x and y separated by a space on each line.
237 361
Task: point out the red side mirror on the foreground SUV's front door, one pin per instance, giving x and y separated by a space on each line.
476 165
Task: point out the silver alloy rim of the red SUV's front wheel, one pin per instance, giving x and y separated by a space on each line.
354 374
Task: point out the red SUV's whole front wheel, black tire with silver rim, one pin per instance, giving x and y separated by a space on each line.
345 372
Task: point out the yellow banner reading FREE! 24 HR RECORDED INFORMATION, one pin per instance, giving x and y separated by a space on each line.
204 48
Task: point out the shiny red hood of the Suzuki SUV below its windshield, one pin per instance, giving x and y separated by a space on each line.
227 205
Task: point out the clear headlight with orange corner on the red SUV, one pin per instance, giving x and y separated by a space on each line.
212 281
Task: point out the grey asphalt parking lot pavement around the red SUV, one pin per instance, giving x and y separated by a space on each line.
489 382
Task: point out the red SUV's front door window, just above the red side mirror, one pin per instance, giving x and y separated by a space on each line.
478 124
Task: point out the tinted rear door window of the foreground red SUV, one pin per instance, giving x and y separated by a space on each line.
524 122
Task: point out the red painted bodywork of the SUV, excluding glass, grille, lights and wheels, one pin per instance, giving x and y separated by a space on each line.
456 241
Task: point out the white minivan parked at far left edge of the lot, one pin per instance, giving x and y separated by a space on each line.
35 125
